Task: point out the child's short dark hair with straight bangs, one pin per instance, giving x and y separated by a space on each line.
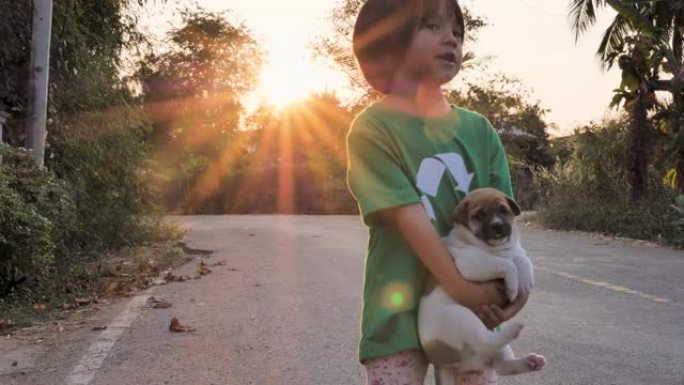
384 30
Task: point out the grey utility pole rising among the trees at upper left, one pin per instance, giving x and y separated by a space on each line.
40 72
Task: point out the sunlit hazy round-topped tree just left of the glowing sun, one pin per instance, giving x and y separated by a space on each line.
193 95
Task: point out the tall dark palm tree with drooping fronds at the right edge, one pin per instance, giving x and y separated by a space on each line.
645 38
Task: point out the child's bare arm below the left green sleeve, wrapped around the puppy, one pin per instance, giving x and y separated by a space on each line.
416 228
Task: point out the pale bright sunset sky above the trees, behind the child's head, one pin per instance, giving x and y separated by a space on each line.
527 39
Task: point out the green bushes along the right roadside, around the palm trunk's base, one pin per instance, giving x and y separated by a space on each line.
590 192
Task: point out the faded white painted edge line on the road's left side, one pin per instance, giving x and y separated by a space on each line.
84 372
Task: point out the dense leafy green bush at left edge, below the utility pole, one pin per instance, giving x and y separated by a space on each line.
35 215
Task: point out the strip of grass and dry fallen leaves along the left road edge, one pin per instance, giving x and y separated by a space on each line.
89 285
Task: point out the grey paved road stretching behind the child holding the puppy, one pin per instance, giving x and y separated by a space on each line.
284 309
